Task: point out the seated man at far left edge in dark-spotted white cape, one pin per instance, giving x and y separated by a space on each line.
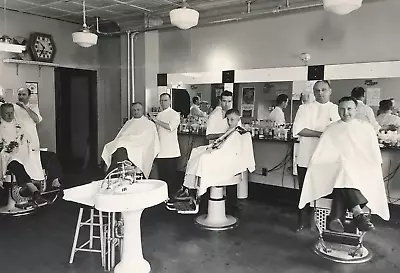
15 153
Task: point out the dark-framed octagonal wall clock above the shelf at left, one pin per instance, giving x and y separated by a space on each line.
42 47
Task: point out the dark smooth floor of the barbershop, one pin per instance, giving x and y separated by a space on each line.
263 242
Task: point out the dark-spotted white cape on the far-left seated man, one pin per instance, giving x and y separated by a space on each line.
14 132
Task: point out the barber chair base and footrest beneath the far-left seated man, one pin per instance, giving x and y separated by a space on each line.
18 204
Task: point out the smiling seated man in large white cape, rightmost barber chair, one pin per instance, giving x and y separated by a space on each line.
347 163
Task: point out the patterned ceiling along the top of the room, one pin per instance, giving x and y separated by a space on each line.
132 14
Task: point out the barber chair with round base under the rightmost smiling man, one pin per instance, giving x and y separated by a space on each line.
346 247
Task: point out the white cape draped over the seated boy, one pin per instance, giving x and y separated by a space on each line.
218 167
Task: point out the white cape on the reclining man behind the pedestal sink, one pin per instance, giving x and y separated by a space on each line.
140 139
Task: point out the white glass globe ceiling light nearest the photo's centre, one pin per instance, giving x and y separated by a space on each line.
184 18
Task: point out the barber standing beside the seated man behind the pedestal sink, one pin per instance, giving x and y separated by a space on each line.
167 122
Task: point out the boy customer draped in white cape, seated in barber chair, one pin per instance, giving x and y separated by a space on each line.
217 163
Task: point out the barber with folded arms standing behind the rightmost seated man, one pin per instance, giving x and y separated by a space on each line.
310 122
